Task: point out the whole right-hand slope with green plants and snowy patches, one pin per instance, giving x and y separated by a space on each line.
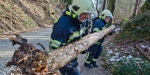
129 52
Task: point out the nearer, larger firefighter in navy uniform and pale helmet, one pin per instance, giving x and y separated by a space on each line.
69 28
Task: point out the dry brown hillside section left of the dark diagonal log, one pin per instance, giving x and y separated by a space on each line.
13 19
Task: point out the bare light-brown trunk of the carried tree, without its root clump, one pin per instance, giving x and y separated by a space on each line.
63 55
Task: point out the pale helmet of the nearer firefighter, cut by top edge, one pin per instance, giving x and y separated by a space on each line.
82 6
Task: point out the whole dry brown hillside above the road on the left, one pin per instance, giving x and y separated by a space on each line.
23 15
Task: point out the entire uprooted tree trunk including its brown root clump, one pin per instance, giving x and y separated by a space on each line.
33 61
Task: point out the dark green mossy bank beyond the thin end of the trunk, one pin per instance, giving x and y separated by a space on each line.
135 29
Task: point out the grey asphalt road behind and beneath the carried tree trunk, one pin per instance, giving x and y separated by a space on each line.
40 36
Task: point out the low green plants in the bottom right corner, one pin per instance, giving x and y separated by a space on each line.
131 67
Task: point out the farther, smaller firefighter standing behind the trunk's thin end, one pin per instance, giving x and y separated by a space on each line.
94 51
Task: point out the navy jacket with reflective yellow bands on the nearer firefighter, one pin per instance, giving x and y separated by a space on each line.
66 30
